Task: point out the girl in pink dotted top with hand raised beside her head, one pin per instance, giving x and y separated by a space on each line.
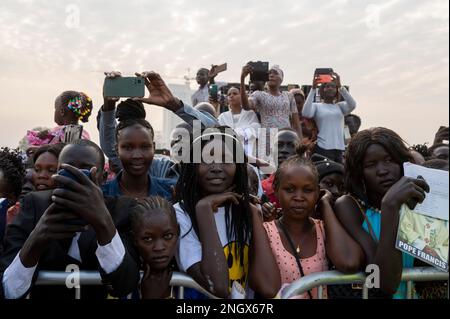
301 244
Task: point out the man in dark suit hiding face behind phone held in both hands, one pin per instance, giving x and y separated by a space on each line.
69 225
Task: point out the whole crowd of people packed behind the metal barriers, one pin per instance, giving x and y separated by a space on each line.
261 188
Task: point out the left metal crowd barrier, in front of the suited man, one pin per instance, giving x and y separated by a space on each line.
89 278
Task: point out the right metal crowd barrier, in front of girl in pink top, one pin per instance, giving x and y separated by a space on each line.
320 279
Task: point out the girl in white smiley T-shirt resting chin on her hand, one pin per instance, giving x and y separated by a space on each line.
223 244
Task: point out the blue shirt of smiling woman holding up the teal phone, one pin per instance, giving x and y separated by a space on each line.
157 187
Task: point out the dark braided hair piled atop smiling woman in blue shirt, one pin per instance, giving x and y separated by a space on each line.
129 113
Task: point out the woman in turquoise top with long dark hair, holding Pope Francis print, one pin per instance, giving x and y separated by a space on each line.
376 190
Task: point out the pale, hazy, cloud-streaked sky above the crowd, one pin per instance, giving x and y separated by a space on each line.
394 54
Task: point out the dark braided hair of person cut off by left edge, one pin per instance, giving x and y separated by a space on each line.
11 166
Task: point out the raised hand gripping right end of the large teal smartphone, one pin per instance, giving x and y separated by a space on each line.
159 93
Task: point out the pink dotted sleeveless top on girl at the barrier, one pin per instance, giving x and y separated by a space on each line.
286 261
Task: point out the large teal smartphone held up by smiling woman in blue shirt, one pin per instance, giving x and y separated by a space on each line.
124 87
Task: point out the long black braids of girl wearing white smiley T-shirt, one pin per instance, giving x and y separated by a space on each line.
238 218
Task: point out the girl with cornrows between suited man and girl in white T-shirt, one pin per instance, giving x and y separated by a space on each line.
155 232
